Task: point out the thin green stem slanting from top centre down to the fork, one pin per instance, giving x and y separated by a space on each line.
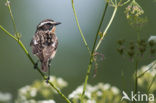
82 35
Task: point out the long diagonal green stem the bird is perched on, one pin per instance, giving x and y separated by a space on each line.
32 61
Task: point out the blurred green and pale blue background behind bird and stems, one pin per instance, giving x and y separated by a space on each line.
72 57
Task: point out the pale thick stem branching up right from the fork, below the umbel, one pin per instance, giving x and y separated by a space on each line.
105 31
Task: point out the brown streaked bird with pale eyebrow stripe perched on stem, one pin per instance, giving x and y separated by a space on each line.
44 43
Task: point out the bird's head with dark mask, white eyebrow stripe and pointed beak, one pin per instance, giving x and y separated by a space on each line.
47 25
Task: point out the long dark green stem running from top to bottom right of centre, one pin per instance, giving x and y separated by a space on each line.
92 53
